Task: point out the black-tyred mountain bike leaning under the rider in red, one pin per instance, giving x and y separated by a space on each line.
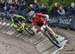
52 38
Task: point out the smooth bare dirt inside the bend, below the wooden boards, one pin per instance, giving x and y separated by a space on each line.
12 45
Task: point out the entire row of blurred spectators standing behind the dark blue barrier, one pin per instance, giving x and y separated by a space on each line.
20 6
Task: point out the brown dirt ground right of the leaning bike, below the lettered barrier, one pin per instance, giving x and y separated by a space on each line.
70 35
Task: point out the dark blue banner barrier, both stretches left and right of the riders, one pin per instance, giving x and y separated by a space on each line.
60 21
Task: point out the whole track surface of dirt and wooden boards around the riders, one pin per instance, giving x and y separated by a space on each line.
24 44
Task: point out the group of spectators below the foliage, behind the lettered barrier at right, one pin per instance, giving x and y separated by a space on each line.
63 10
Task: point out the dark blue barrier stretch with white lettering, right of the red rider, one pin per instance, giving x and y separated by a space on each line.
63 21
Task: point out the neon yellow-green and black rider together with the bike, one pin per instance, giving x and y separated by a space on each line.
19 23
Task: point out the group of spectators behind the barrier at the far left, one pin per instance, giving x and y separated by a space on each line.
12 7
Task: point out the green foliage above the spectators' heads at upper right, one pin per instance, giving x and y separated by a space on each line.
50 3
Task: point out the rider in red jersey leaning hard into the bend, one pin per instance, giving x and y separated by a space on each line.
38 23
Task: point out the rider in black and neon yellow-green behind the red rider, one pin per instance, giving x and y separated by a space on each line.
18 22
